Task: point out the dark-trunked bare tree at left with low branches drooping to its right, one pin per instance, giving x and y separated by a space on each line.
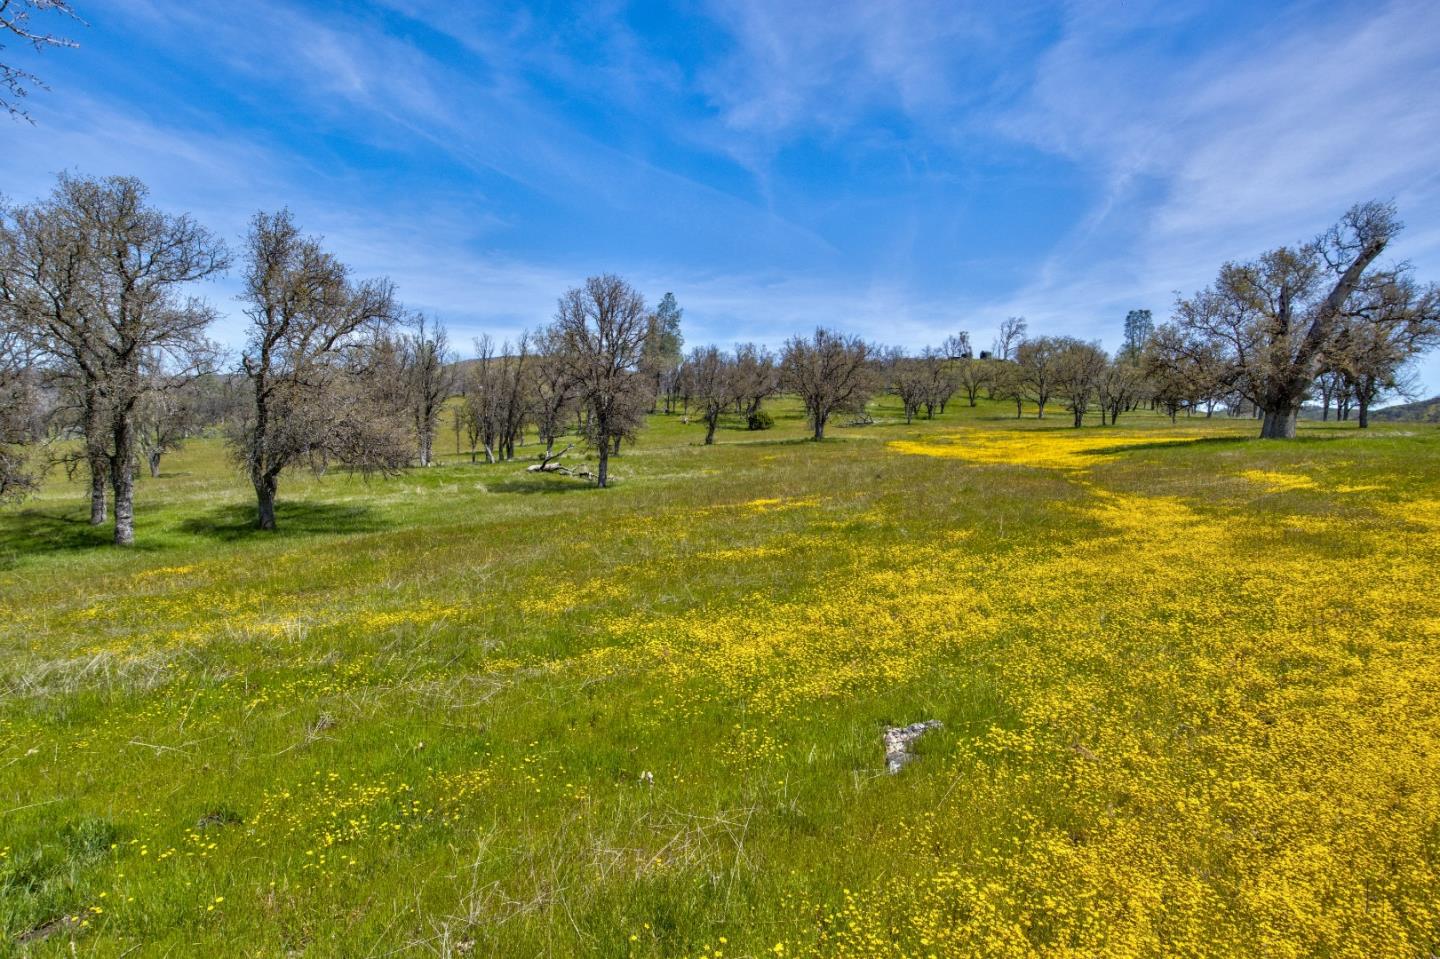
310 362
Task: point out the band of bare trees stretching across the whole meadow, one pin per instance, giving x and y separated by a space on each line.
103 342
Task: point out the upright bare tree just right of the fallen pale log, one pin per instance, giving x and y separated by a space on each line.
601 329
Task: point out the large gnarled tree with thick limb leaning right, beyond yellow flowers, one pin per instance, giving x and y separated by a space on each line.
1274 319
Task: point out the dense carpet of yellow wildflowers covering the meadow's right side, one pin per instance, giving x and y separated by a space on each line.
1226 737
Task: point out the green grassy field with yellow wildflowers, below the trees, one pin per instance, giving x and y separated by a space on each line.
1190 686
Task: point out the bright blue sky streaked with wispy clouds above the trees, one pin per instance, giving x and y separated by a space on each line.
898 169
